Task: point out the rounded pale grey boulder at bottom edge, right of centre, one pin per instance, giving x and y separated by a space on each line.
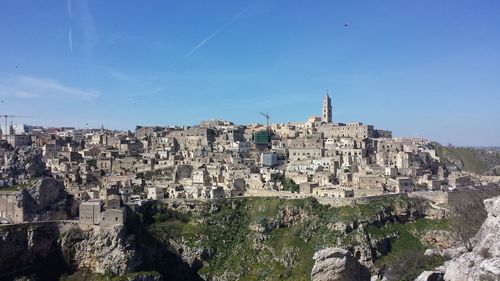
335 264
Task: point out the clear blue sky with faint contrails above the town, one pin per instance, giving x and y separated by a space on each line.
420 68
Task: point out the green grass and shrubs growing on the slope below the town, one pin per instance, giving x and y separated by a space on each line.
275 239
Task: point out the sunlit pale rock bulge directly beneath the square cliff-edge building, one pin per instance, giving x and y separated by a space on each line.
100 250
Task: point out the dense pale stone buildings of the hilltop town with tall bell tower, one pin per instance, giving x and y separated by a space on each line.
93 174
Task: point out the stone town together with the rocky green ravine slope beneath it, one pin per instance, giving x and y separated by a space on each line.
301 200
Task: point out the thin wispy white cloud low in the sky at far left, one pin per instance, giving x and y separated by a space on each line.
35 87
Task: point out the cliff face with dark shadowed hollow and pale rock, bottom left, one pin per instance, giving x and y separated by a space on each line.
49 250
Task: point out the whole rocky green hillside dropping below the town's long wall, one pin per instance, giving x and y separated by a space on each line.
275 239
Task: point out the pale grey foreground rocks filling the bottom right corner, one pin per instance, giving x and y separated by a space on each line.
483 262
